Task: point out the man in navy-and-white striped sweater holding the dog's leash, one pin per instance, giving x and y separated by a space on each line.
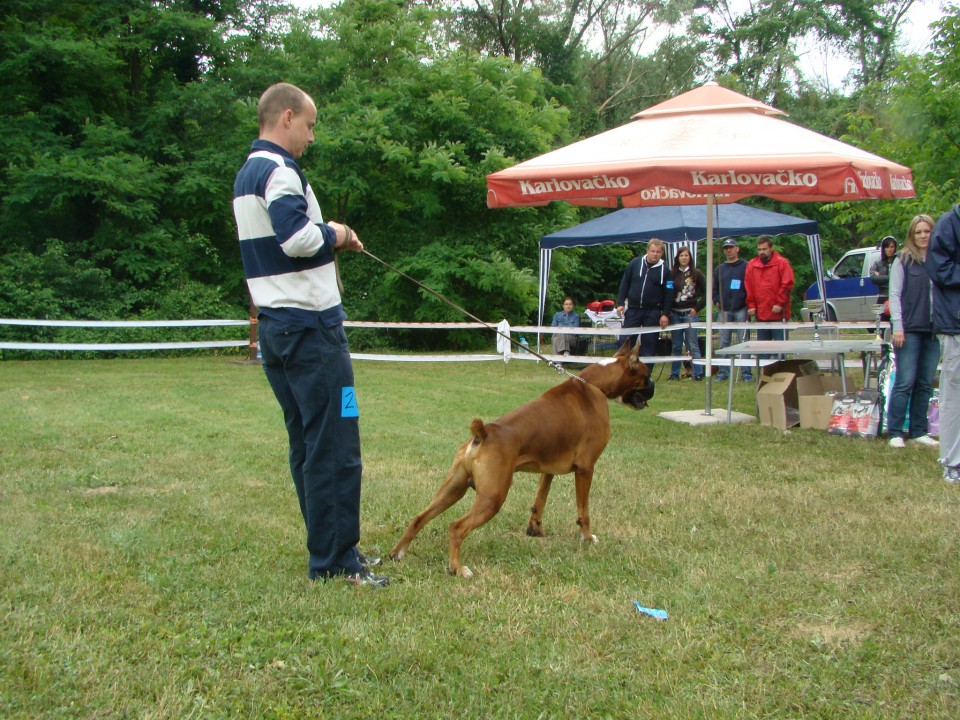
288 257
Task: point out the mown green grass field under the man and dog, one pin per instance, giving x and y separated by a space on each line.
152 561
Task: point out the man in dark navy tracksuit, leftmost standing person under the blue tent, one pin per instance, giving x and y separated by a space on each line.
647 292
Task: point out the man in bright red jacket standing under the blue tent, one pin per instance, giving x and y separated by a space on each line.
769 280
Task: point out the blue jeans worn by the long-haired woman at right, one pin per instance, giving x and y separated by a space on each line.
916 365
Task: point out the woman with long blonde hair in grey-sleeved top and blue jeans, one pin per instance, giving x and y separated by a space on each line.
915 346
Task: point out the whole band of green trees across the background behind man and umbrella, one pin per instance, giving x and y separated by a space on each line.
125 122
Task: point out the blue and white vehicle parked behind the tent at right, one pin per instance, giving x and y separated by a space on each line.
851 294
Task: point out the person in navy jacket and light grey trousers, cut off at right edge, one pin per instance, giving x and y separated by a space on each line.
943 267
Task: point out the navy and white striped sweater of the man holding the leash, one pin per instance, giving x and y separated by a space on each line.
286 247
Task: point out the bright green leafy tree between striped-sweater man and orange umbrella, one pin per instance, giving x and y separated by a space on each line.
405 138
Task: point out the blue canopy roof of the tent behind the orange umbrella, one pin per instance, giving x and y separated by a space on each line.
677 223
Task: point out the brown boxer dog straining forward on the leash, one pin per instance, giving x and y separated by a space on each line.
564 430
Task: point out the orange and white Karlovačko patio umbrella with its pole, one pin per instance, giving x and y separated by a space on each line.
709 145
